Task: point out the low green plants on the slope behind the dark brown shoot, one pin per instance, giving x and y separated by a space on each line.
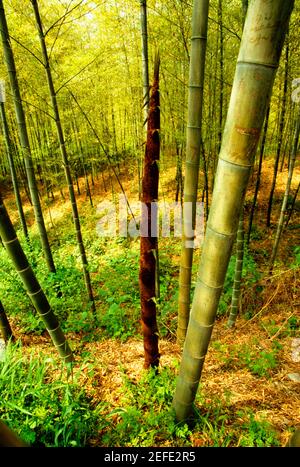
118 311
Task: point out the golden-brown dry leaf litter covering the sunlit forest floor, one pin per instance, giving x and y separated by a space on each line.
245 368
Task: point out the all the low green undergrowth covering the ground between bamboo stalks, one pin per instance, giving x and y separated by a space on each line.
45 408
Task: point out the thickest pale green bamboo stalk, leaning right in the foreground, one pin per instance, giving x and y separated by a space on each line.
261 46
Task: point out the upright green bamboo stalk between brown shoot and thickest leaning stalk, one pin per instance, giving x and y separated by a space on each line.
193 147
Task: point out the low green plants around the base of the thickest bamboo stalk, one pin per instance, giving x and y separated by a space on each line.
145 418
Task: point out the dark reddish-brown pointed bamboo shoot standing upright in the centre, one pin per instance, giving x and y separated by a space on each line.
148 222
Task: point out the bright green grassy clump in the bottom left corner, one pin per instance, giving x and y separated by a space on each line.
44 409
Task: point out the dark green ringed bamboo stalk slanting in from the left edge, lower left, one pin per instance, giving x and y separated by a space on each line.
31 284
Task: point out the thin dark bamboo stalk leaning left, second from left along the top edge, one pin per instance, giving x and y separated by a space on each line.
64 155
